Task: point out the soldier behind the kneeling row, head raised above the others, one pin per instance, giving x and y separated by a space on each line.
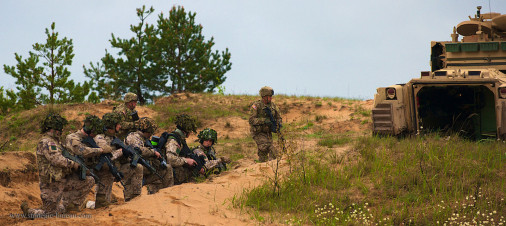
128 115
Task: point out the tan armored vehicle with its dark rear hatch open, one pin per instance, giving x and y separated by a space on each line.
464 92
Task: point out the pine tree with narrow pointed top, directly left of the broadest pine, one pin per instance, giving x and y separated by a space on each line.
133 69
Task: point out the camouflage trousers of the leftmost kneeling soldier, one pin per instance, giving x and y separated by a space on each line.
68 194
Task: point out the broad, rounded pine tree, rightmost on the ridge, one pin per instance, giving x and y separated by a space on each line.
183 53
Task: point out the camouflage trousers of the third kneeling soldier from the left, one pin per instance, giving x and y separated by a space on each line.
132 178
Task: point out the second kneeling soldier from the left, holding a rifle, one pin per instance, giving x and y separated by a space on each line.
75 144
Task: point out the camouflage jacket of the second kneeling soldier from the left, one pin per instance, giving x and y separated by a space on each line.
75 146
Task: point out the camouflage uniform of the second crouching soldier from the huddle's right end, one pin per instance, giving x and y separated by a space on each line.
173 148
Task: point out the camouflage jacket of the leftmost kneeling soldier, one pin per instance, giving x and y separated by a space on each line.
52 165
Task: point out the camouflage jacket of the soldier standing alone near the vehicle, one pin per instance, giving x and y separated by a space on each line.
257 116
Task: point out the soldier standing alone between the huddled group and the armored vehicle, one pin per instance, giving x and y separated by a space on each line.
262 124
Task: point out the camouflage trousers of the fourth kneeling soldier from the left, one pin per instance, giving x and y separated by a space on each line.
153 182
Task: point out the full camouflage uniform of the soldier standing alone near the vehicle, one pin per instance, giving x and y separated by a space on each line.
260 129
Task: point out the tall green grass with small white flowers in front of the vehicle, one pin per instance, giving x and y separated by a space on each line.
418 181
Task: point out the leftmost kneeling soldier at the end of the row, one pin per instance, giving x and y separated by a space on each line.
57 174
